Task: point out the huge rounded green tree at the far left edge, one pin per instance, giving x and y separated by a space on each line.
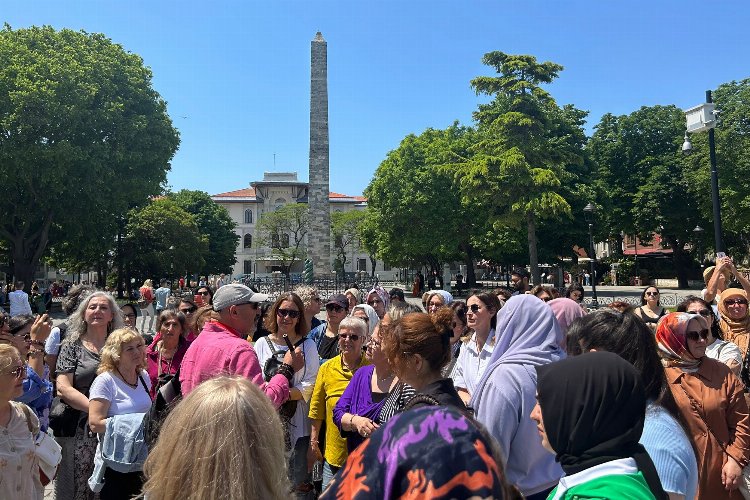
83 136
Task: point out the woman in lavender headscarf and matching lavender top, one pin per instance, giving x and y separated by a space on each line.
527 336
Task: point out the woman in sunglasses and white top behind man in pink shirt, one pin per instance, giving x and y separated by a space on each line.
286 319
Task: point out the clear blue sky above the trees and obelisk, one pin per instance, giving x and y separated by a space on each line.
235 74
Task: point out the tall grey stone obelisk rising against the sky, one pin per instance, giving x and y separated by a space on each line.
319 237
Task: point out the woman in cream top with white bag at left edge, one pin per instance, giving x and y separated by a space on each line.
19 474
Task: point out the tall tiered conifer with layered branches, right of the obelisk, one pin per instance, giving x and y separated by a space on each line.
517 171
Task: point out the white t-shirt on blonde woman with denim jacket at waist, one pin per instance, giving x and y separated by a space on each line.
122 398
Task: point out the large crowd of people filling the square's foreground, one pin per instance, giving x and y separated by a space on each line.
512 393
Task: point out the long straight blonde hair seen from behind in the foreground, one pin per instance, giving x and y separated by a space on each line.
223 441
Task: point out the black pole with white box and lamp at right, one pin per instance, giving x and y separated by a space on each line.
700 118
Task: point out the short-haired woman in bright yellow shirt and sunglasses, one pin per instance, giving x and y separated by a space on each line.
333 378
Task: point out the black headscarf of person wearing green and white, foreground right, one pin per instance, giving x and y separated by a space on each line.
593 407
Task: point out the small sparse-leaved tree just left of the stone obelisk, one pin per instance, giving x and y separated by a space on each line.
284 231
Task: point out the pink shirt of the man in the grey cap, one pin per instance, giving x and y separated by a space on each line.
220 350
